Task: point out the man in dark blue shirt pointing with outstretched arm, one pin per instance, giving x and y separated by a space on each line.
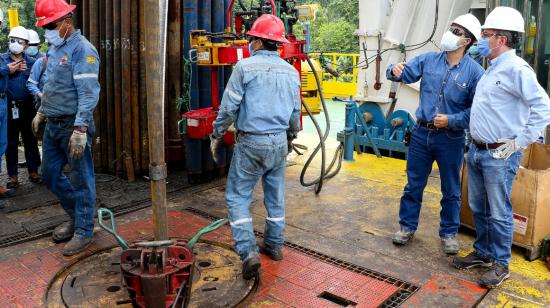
447 88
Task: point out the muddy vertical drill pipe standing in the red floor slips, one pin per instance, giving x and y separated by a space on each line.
155 53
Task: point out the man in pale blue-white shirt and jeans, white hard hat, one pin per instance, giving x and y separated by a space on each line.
509 111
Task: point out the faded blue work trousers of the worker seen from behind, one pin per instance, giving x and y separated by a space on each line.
255 157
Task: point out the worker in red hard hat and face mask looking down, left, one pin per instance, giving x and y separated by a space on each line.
69 98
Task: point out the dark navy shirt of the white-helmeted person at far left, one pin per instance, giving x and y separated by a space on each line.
15 85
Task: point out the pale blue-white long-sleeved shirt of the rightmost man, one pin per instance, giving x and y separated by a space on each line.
509 103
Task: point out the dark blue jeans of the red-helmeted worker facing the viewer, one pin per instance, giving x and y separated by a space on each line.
77 193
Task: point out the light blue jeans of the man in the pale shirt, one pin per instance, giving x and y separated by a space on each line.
489 187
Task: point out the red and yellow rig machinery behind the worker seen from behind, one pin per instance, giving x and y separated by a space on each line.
227 48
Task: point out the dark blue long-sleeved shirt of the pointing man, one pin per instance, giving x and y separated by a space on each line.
444 89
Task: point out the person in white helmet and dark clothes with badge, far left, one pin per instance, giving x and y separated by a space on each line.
21 109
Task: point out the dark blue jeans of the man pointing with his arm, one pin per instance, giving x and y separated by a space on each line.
447 149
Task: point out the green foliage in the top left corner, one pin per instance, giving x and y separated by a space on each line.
27 19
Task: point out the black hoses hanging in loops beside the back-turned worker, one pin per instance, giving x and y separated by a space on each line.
326 173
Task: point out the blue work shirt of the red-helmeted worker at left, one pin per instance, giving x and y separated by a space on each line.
73 86
